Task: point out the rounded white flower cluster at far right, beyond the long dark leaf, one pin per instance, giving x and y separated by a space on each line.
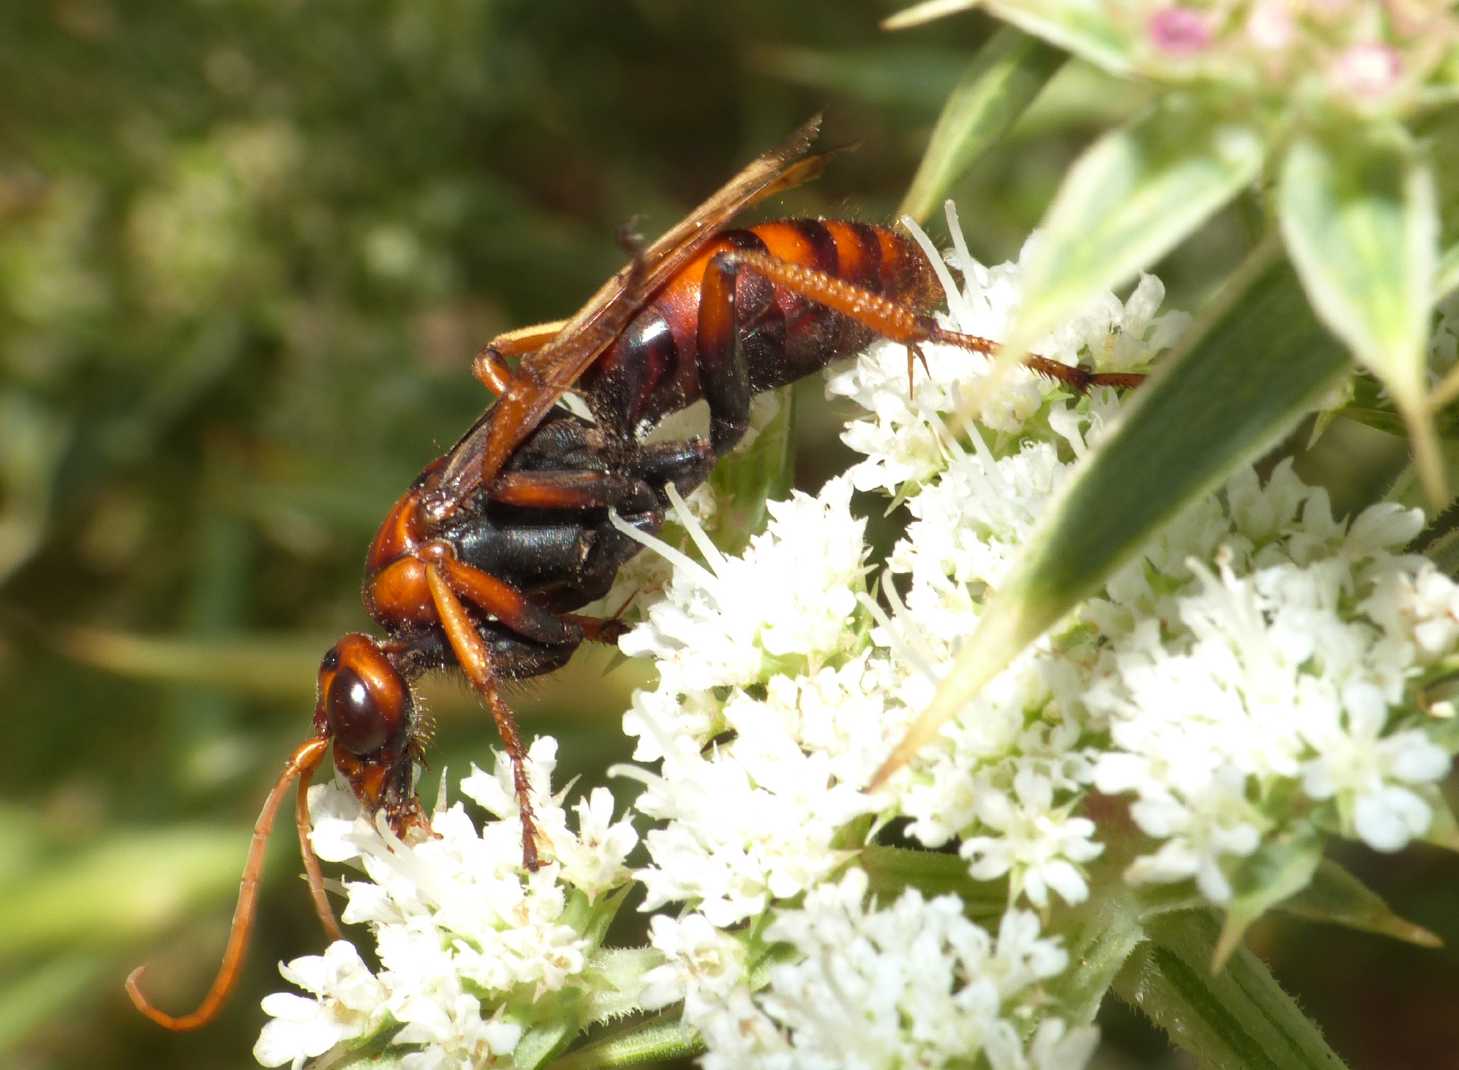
1282 672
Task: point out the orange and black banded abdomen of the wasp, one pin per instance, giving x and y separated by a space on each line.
654 367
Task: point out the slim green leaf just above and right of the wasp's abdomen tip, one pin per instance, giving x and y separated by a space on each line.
1000 84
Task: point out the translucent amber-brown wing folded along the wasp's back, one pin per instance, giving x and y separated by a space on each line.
545 376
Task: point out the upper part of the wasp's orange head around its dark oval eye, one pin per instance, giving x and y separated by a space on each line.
364 701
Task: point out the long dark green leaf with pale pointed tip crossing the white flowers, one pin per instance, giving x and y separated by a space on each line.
1247 374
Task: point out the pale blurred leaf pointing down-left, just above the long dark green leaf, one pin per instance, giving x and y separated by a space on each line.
1131 198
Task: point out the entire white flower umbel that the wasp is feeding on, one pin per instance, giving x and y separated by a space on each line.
1250 680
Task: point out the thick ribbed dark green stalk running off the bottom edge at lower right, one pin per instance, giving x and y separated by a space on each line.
1239 1020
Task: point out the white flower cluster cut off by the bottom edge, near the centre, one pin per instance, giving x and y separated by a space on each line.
913 985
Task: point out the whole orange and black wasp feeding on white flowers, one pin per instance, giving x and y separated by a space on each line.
484 564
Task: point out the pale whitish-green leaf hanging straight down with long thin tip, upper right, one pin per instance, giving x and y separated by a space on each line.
1361 221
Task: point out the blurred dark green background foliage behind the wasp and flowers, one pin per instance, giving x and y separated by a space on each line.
247 252
